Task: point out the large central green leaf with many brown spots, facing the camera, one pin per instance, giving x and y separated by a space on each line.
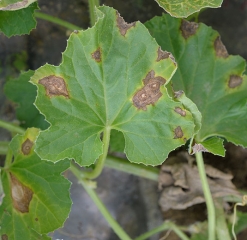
100 85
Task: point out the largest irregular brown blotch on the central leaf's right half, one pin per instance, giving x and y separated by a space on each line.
150 93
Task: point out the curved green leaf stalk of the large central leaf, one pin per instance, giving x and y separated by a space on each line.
101 161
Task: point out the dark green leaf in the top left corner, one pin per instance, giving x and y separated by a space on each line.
18 22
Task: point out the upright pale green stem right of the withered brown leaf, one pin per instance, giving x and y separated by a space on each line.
207 196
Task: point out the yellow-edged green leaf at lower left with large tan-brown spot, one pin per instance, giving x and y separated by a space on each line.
37 197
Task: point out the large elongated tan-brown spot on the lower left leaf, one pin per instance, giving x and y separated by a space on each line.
21 195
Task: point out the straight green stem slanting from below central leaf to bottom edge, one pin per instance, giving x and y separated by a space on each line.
112 222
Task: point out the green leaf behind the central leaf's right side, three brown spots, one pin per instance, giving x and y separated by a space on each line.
208 75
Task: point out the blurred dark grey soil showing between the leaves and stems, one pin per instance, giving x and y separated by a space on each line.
132 201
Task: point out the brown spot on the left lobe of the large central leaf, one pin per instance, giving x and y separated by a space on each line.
54 86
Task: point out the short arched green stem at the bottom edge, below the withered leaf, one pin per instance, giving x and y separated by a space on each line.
162 227
